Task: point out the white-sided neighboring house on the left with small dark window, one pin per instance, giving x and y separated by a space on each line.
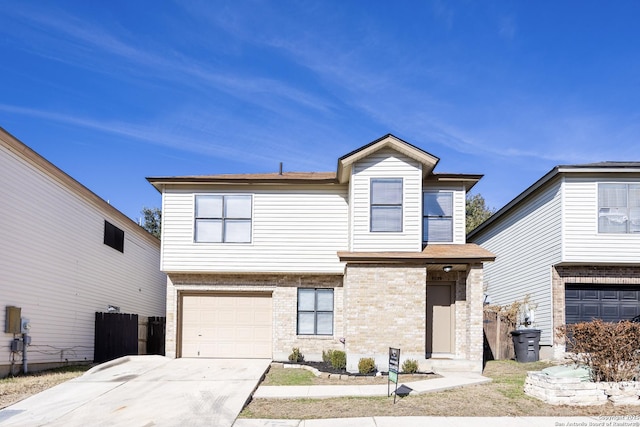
66 254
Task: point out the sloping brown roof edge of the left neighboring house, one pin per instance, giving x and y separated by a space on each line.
54 173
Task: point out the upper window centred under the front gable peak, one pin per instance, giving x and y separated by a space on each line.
386 204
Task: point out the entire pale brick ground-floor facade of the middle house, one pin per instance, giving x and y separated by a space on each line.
376 306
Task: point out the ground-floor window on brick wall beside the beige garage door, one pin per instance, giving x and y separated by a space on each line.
315 311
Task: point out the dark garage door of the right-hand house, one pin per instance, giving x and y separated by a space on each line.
609 303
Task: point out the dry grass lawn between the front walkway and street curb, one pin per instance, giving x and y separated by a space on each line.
504 396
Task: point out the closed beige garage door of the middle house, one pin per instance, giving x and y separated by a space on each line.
227 325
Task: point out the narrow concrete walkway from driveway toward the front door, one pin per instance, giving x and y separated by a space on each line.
447 382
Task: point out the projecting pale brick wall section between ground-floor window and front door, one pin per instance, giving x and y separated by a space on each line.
385 306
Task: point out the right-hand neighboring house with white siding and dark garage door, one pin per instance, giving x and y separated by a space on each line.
572 242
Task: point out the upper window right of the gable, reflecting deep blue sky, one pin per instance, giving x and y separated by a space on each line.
437 224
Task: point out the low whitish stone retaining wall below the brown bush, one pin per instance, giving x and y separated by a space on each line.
572 391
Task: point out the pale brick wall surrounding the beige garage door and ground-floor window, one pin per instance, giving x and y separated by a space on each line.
283 288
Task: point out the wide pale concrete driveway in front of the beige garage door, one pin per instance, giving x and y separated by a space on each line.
145 391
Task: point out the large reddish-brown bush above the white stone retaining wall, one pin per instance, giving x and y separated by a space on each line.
609 350
